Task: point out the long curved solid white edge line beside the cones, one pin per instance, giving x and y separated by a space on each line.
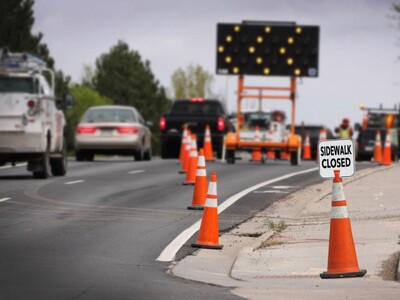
169 253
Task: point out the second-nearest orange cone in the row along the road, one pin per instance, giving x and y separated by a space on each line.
200 185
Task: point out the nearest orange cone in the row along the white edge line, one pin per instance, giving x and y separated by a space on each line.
208 235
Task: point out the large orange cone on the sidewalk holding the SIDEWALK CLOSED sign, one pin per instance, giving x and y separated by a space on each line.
342 258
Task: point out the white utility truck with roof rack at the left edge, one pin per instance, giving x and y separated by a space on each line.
32 128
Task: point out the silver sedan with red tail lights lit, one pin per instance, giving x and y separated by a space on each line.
112 129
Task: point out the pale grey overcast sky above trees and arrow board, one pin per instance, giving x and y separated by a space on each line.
358 58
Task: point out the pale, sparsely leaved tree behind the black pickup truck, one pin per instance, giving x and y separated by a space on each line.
192 82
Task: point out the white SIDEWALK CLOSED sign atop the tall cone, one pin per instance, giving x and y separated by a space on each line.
336 155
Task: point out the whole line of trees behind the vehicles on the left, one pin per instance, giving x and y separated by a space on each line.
120 76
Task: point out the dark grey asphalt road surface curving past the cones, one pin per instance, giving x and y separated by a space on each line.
96 233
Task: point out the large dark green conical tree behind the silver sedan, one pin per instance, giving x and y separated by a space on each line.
124 77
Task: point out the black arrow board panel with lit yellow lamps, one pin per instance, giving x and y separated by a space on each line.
271 50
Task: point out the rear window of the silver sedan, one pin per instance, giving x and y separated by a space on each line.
109 115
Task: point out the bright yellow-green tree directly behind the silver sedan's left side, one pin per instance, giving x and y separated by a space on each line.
85 97
